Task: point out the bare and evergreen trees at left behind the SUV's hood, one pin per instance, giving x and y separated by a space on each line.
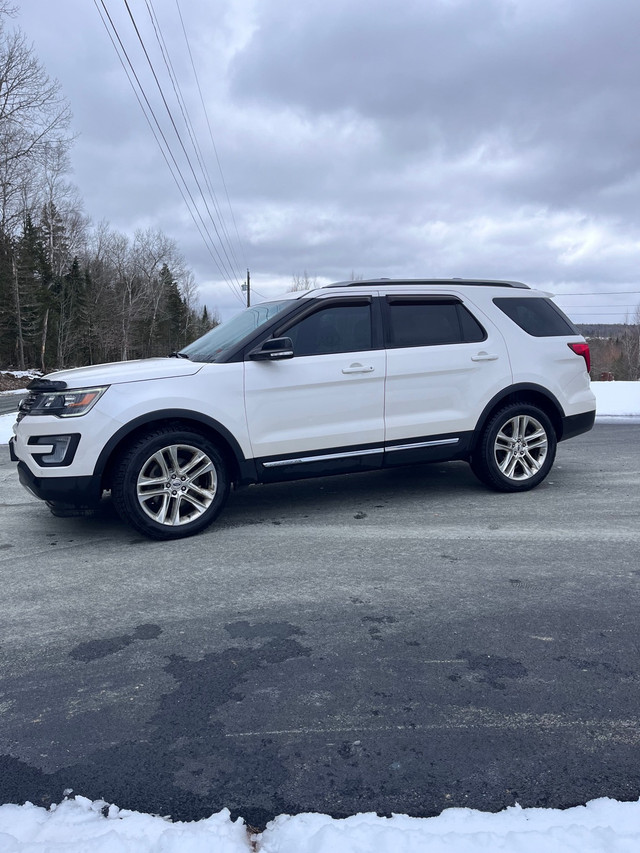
71 293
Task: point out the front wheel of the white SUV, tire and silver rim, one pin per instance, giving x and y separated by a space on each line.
170 483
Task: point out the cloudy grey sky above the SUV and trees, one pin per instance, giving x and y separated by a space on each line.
365 138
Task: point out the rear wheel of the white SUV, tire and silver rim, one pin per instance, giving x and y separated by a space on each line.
516 449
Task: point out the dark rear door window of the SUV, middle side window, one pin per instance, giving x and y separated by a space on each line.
420 323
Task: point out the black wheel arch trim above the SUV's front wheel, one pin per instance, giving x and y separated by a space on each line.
241 470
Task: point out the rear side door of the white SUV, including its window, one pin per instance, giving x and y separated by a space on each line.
444 364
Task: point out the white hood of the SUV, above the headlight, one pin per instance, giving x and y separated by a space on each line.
126 371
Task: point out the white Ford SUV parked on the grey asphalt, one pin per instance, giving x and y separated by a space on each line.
349 377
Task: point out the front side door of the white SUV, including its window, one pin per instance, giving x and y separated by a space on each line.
323 408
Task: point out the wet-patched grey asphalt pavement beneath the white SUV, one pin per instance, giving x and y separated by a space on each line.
399 641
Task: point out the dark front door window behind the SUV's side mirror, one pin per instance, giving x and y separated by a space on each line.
336 328
